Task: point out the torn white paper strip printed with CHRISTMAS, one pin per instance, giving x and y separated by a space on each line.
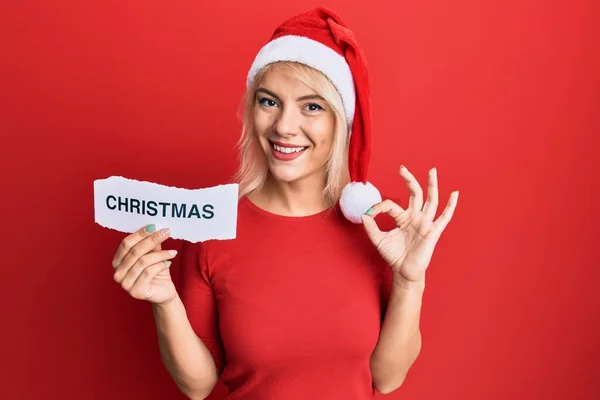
192 214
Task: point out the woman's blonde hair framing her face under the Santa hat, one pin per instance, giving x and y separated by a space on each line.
253 169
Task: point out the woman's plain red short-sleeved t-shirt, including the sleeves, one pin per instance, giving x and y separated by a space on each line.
291 308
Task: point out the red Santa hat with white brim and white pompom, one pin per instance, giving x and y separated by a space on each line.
319 39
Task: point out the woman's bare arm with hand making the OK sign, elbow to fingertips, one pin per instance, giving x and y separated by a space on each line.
407 249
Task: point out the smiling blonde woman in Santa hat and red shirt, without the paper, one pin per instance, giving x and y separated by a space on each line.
304 303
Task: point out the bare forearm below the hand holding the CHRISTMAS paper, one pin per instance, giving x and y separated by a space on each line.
183 353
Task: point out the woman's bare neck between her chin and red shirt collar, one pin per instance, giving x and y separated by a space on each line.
295 199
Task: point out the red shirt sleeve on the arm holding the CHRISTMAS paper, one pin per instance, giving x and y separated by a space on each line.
198 297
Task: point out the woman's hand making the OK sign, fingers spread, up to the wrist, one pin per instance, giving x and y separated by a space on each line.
408 248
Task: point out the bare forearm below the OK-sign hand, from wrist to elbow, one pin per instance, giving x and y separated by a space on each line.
399 341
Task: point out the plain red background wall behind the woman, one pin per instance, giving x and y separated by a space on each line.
502 98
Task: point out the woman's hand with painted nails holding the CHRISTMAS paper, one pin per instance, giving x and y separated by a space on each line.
142 267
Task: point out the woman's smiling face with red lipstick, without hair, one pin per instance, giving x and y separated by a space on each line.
294 126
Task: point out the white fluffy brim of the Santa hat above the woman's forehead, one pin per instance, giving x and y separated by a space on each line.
314 54
